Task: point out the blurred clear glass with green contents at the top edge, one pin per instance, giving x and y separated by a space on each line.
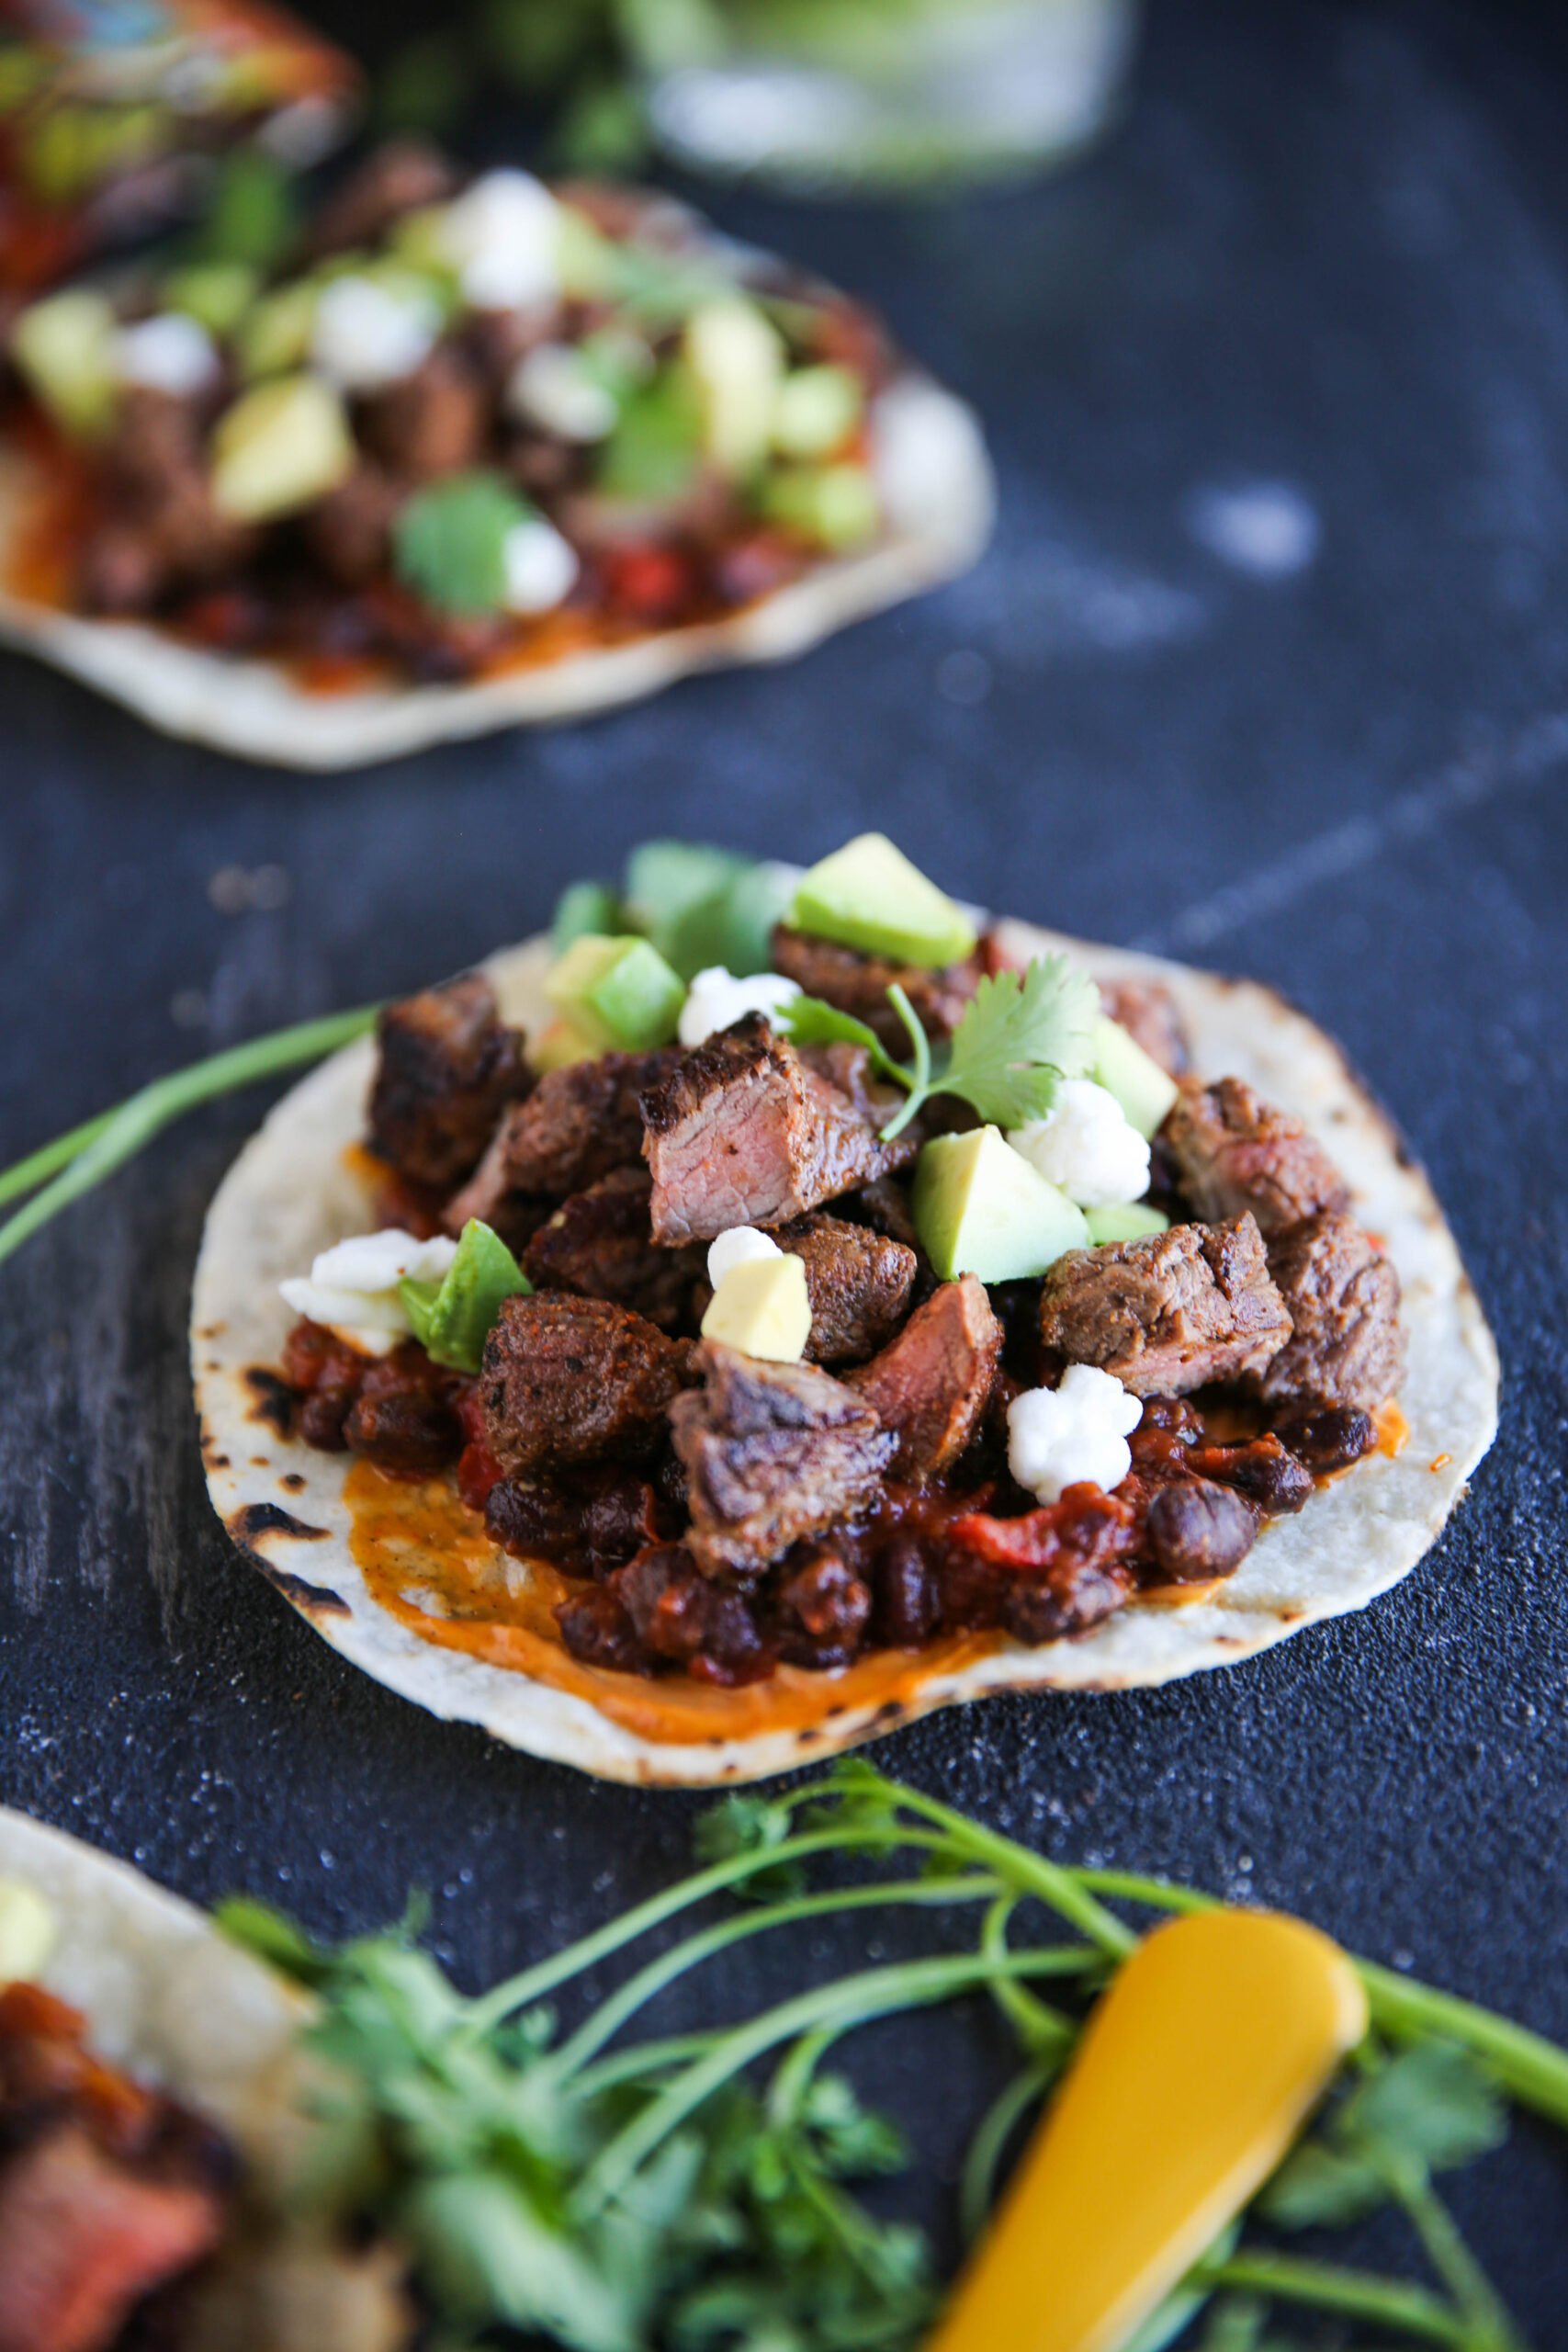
883 95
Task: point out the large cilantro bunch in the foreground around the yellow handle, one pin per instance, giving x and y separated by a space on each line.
615 2193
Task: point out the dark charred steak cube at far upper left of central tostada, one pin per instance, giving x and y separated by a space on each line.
448 1069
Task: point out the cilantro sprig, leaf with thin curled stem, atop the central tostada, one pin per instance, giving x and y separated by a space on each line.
1019 1036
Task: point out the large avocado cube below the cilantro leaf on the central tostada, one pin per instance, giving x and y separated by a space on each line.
984 1210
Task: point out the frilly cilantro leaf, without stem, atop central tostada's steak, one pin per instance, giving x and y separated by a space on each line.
1019 1036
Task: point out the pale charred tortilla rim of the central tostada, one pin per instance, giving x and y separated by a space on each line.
293 1191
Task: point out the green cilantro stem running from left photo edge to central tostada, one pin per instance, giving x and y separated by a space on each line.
93 1151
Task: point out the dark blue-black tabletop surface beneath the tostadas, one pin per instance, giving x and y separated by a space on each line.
1268 667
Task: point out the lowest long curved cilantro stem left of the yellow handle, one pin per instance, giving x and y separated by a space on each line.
852 2000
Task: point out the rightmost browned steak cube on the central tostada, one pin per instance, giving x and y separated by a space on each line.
1343 1297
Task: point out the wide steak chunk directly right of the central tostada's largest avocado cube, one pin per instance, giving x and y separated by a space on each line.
1167 1314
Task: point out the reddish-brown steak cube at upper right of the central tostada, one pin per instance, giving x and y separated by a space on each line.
1233 1151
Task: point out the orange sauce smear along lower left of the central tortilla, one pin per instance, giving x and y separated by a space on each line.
429 1563
